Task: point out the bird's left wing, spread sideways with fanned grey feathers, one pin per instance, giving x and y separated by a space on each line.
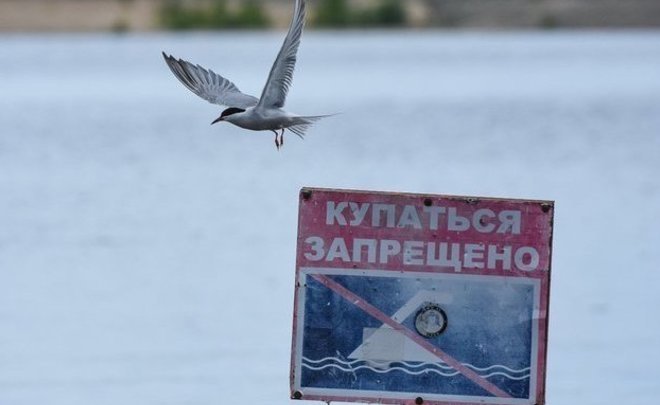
209 85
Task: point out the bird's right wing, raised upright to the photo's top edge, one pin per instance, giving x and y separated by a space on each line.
281 74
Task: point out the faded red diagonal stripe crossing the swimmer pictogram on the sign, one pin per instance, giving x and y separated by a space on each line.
382 317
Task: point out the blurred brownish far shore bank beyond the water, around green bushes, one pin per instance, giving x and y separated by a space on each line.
146 15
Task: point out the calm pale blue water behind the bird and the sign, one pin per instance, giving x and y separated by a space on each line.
147 257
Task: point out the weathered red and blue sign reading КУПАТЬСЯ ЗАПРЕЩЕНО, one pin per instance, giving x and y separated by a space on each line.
420 299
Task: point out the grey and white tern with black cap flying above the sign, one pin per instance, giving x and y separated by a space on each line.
246 111
